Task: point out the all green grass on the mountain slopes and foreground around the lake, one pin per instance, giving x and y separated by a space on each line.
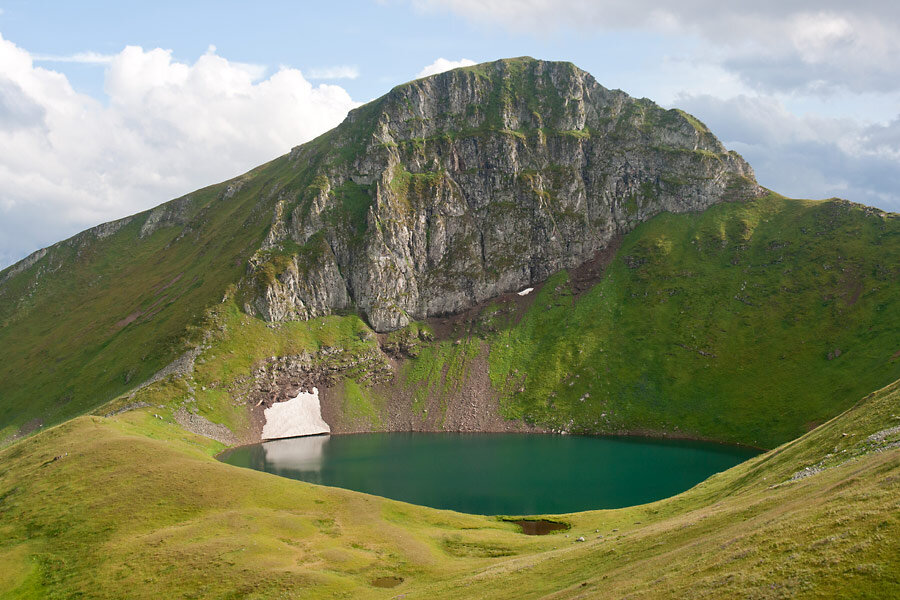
749 323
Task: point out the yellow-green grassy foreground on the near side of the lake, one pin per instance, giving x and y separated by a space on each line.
132 505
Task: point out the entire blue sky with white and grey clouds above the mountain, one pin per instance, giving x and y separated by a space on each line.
110 108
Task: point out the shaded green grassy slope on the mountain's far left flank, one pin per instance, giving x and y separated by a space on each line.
64 328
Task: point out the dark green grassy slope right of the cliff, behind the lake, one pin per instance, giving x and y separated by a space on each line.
716 325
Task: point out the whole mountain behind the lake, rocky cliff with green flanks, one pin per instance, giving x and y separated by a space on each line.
756 319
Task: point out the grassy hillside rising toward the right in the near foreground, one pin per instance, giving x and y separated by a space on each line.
749 532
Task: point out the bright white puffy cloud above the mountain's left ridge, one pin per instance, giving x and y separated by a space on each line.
69 162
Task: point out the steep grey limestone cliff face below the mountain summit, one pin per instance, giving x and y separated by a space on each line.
455 188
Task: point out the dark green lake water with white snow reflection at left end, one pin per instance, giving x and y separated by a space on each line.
508 474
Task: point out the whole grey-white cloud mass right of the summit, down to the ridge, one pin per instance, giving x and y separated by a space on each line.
779 79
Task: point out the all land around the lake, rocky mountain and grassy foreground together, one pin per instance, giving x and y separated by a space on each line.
503 247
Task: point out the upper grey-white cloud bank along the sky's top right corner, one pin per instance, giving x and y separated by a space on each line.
807 45
